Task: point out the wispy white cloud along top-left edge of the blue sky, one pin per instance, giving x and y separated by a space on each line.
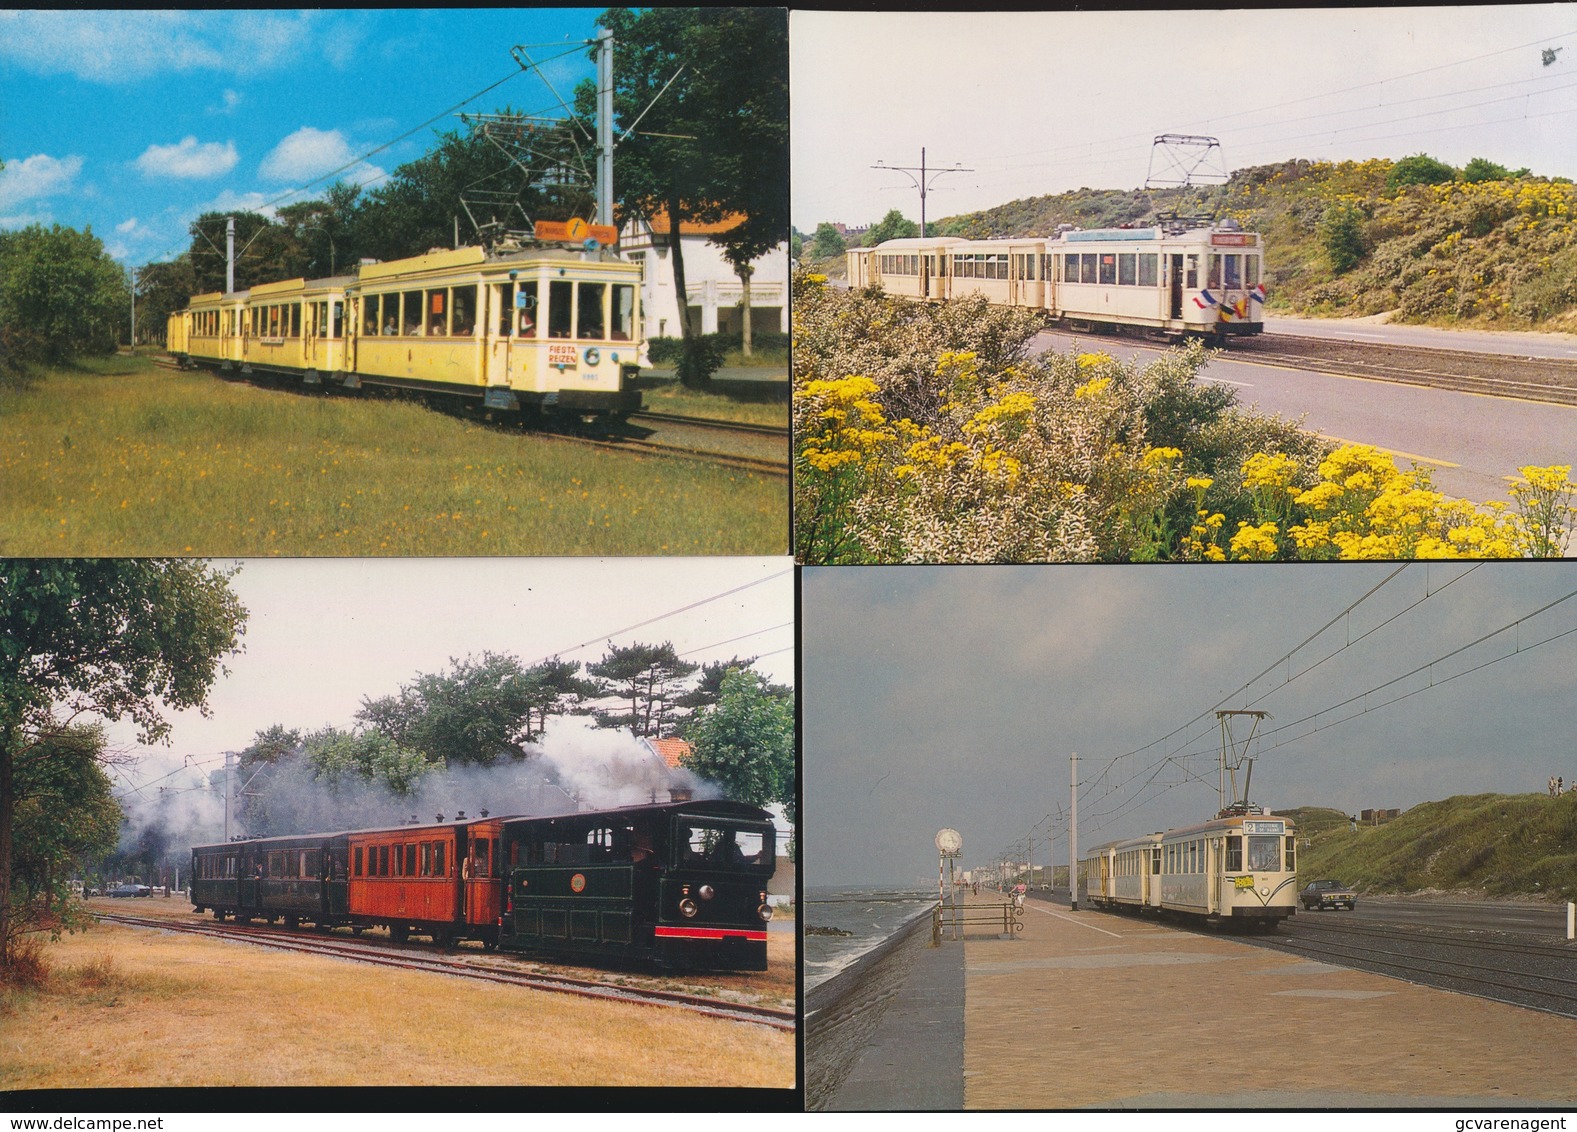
125 47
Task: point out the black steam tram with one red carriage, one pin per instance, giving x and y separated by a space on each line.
680 885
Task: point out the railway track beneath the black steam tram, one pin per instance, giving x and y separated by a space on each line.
412 961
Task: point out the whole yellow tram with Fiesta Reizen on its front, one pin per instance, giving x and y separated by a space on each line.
548 330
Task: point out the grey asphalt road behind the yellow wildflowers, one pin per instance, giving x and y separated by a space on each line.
1472 444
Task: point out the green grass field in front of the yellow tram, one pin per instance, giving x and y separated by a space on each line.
119 458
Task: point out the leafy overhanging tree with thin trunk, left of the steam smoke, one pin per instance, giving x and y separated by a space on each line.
110 638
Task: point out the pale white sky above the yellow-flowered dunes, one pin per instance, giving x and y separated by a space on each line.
1040 103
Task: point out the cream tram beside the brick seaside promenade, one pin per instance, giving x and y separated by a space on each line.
1239 871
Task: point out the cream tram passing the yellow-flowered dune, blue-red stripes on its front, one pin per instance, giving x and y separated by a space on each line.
1169 280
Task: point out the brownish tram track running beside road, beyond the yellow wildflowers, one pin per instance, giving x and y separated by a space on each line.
1464 371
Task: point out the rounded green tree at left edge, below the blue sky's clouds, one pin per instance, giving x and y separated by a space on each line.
61 294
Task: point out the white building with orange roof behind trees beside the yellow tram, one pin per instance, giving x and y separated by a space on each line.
715 291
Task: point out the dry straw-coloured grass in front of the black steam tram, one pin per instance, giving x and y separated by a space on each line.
136 1008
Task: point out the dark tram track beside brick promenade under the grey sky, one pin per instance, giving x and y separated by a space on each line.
1532 975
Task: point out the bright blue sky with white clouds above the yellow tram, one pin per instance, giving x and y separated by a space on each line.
136 124
